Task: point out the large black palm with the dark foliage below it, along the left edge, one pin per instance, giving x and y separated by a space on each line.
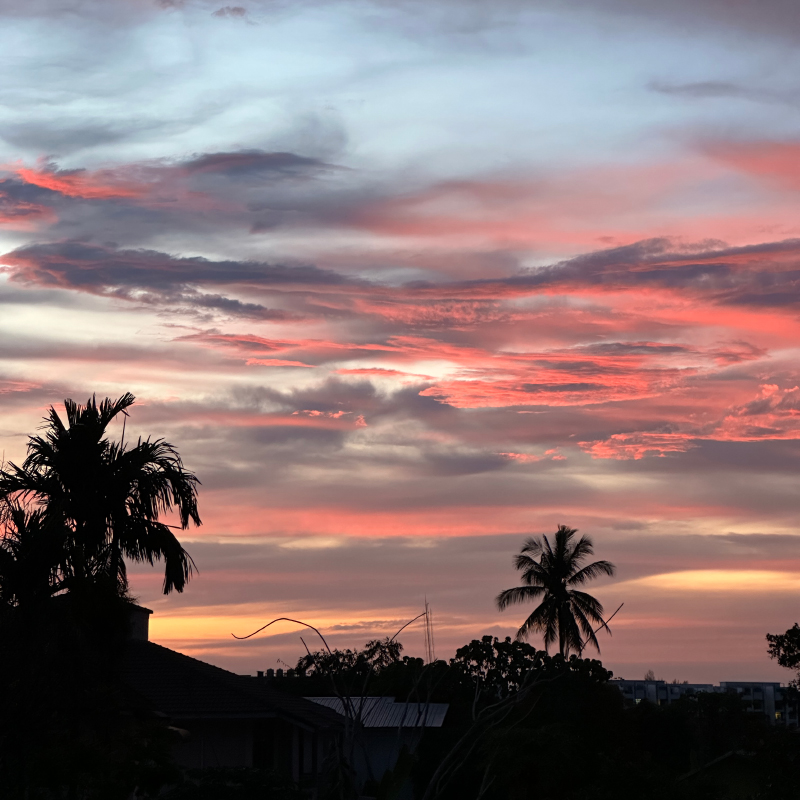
69 516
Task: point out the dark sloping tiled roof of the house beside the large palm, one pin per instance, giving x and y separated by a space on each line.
185 688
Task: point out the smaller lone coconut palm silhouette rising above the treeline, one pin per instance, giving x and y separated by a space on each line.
564 613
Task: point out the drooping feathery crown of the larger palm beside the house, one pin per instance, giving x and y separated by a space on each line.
107 496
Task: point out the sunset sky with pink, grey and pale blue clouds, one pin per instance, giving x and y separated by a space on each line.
408 282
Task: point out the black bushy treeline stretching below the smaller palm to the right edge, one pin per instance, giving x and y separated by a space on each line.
572 736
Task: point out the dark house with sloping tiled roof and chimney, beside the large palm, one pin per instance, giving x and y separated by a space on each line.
229 720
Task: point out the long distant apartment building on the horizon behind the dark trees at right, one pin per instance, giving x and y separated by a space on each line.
770 699
